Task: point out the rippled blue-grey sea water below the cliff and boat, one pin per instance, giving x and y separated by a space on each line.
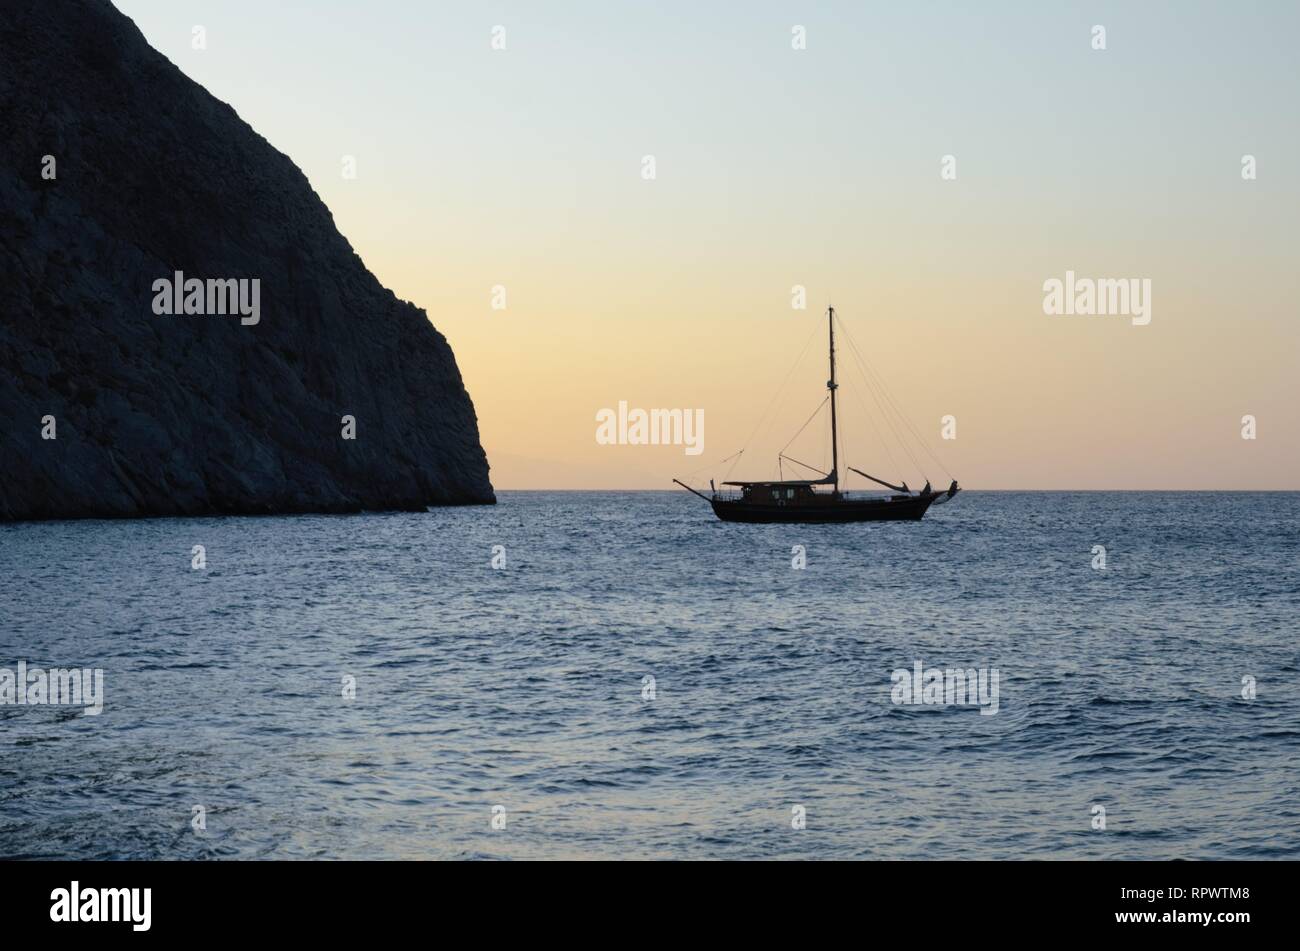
523 688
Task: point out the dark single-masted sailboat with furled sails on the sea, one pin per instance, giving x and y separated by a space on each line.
821 500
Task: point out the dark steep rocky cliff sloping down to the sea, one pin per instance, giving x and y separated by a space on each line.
189 415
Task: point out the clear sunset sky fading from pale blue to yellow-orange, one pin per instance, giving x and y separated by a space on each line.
522 170
